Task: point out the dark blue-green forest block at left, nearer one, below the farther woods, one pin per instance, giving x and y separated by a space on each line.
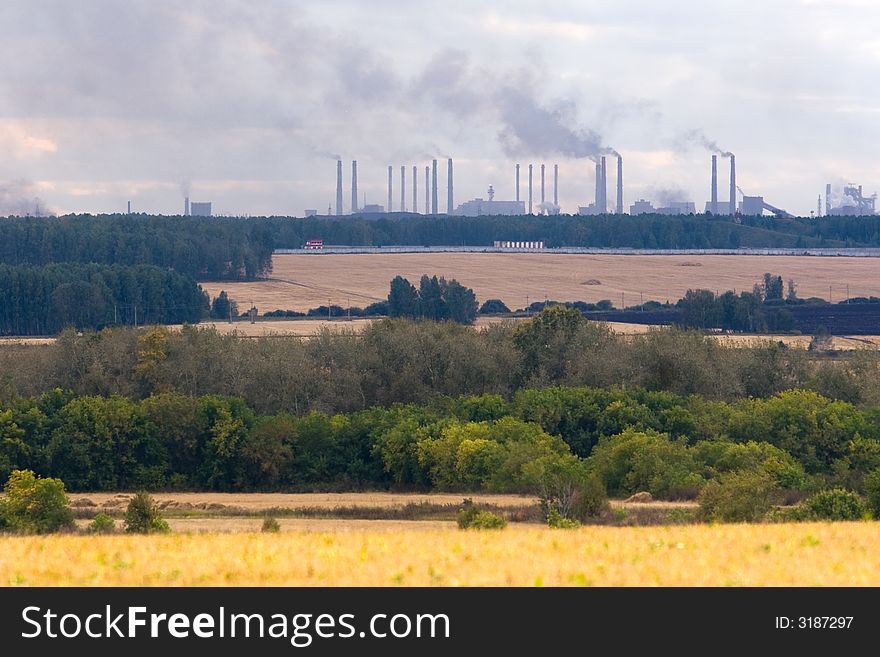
45 300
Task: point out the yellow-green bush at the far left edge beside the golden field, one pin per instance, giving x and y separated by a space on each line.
35 505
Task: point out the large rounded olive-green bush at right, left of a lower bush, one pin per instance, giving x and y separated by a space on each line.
738 496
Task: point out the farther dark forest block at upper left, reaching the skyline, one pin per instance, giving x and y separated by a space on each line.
203 248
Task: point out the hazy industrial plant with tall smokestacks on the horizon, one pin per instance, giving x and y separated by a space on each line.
851 200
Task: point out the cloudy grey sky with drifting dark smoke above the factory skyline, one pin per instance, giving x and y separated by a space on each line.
248 104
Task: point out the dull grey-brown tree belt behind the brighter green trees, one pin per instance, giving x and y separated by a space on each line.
401 361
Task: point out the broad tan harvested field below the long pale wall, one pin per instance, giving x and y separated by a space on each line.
300 282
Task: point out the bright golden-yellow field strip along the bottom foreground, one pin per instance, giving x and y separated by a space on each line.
810 554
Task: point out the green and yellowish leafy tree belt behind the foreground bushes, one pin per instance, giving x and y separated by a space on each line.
632 440
